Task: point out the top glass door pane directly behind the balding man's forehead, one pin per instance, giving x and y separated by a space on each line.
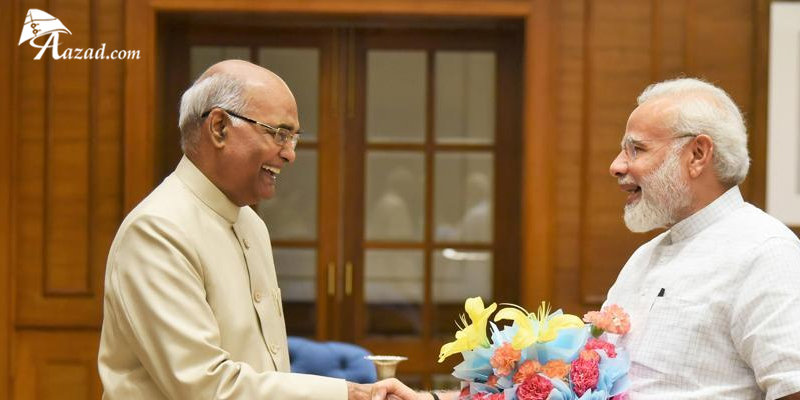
299 68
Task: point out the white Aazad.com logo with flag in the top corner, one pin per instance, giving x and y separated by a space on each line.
39 24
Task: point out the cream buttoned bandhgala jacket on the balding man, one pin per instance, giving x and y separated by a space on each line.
192 308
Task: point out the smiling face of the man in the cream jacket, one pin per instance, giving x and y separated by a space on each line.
251 158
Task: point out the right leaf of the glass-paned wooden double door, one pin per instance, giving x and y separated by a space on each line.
431 194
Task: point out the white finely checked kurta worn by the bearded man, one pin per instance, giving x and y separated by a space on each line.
728 323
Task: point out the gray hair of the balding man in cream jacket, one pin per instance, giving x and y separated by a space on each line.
218 90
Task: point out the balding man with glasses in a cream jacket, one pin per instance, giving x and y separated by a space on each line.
192 307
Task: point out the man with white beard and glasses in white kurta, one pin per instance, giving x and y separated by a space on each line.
714 300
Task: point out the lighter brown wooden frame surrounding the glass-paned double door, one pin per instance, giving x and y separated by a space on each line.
538 103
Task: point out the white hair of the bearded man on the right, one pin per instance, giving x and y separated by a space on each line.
706 109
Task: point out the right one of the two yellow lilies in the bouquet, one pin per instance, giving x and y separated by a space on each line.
540 328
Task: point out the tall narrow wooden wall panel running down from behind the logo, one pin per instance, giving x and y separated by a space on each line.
66 160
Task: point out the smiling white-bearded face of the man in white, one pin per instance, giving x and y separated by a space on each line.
658 191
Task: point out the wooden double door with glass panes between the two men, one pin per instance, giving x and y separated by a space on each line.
379 239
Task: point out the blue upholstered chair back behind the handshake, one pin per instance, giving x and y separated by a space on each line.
333 359
